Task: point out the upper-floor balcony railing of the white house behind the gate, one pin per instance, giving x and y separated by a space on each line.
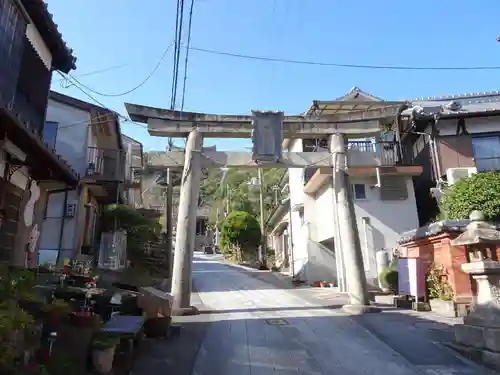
384 153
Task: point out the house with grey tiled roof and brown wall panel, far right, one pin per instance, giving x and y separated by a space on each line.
451 137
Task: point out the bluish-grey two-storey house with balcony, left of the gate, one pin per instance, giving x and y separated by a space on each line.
89 137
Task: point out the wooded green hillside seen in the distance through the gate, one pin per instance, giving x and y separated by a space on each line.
216 188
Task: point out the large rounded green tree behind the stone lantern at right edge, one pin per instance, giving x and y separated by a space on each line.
478 192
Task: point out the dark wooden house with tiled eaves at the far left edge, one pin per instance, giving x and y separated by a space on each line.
31 48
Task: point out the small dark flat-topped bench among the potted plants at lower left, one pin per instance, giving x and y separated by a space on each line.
130 330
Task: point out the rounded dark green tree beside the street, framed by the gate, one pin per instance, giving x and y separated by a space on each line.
240 229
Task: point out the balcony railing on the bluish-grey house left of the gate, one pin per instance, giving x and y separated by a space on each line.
105 164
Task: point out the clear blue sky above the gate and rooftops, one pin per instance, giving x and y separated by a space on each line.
127 38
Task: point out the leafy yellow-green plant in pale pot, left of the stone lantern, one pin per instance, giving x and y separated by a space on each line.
441 296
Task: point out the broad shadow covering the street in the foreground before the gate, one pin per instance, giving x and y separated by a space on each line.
306 344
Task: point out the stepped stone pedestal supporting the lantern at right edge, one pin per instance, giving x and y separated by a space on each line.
479 336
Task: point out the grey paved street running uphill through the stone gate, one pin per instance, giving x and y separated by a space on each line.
249 326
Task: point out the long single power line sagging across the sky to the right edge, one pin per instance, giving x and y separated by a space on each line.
339 65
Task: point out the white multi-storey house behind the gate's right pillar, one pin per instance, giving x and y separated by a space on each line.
383 197
